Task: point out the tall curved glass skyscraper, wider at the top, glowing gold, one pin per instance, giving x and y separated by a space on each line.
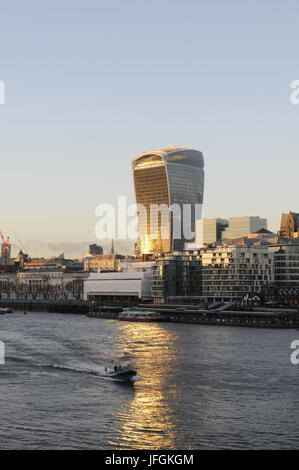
168 179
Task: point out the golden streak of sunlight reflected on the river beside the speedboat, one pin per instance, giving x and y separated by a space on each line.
150 420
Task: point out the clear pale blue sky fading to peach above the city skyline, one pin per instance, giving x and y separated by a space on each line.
91 84
